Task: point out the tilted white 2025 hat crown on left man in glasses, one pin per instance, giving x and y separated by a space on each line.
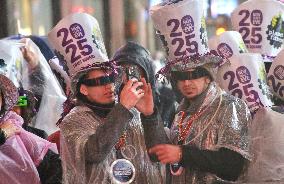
78 41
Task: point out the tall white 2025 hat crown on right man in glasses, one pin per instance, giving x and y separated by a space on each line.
181 27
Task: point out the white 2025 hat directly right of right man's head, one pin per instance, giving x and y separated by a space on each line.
245 77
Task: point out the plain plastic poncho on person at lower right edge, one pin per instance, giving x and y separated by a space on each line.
267 145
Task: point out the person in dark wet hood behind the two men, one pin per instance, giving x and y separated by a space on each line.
136 60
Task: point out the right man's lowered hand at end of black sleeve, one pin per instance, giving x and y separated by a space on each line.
167 153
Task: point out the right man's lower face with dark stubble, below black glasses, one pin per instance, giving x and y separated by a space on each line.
192 88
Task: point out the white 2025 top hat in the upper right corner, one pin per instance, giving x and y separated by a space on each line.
261 25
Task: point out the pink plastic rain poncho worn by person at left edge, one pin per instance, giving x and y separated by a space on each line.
21 154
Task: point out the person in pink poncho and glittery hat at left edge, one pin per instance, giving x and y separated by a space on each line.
26 158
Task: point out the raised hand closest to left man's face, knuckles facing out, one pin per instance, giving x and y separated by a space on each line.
130 93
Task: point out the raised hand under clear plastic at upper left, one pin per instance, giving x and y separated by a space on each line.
29 55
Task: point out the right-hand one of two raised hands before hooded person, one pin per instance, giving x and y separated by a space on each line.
146 104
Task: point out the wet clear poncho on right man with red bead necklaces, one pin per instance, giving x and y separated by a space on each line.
223 124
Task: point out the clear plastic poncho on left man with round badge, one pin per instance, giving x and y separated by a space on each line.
78 126
